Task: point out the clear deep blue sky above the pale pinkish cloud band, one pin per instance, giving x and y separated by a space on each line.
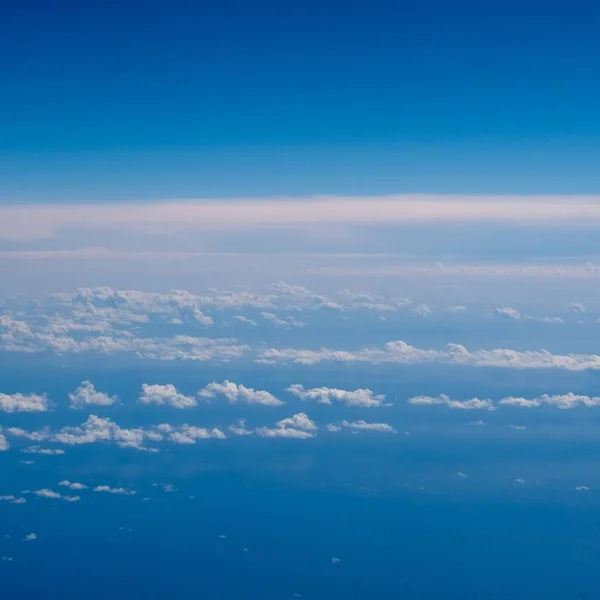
154 99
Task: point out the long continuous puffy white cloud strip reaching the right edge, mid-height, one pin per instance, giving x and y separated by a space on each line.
399 352
